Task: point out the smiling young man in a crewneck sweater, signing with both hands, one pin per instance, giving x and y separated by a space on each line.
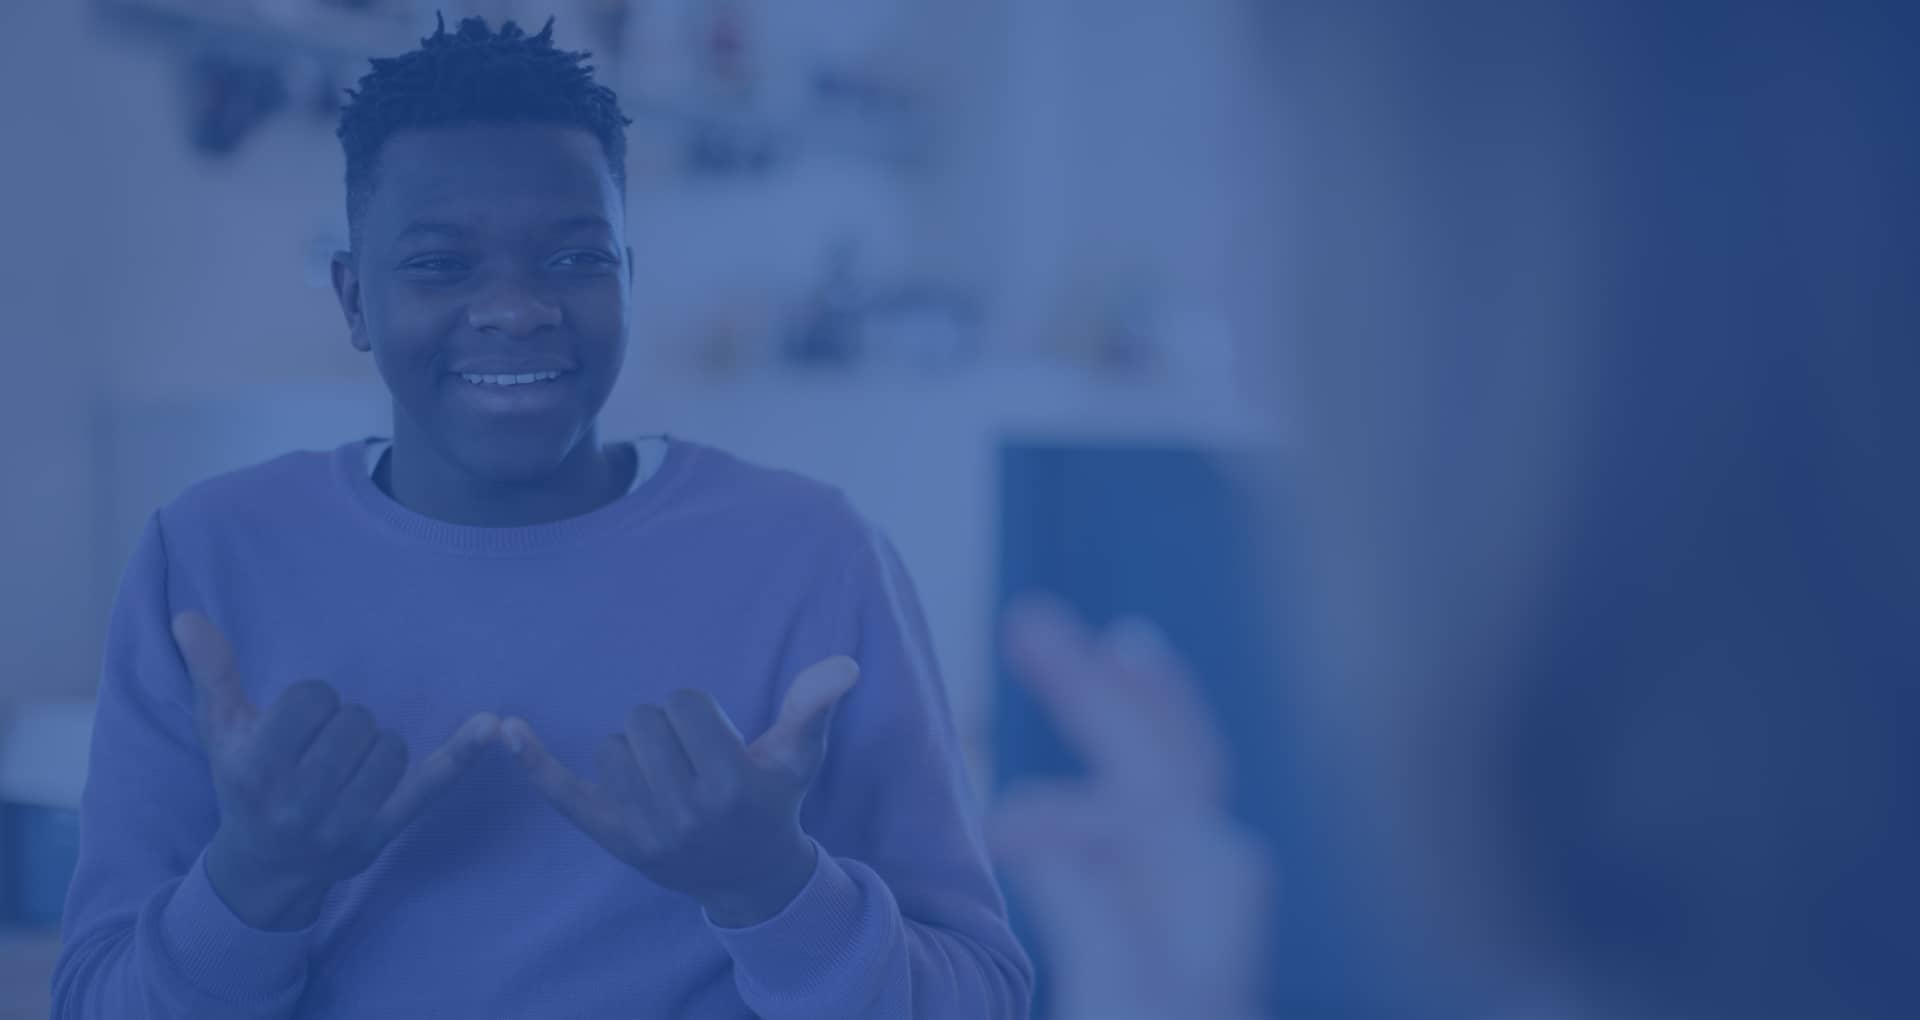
759 833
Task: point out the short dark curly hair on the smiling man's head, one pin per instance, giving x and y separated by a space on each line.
475 76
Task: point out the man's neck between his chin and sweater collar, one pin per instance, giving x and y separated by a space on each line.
420 479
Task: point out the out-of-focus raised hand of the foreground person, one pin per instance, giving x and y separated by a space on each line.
1149 898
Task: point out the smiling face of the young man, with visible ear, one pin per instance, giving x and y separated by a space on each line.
492 287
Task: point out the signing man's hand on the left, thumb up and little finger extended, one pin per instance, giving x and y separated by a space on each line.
310 789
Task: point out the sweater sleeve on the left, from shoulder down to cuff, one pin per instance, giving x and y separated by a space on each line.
145 935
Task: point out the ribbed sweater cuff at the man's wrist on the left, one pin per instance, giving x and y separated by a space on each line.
224 956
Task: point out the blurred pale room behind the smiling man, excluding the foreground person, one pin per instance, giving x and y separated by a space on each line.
969 262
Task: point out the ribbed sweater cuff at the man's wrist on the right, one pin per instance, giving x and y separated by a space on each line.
836 931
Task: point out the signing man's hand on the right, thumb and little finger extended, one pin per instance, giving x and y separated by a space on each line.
694 808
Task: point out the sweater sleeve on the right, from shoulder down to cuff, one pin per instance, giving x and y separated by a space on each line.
903 917
